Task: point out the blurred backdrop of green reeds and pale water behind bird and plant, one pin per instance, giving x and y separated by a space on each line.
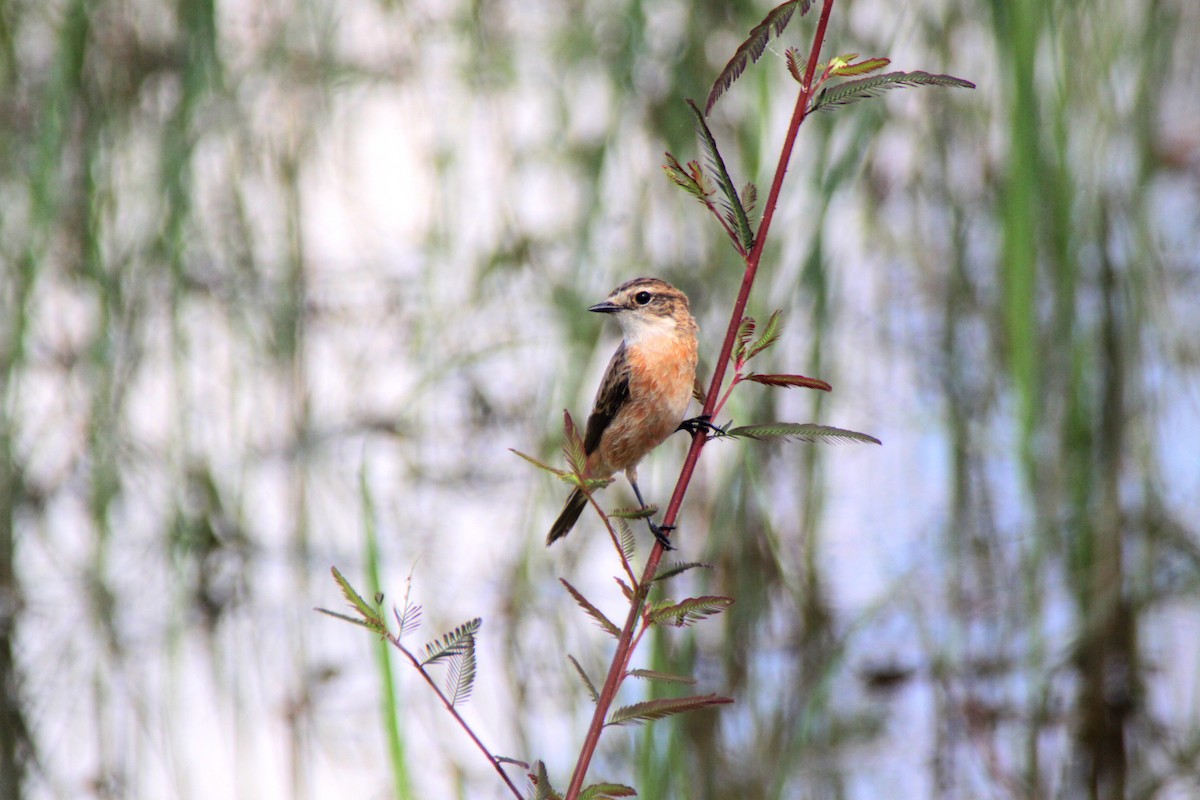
281 282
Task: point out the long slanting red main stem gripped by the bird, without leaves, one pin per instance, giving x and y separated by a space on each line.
623 654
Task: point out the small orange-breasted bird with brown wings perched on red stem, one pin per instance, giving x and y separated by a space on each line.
645 392
